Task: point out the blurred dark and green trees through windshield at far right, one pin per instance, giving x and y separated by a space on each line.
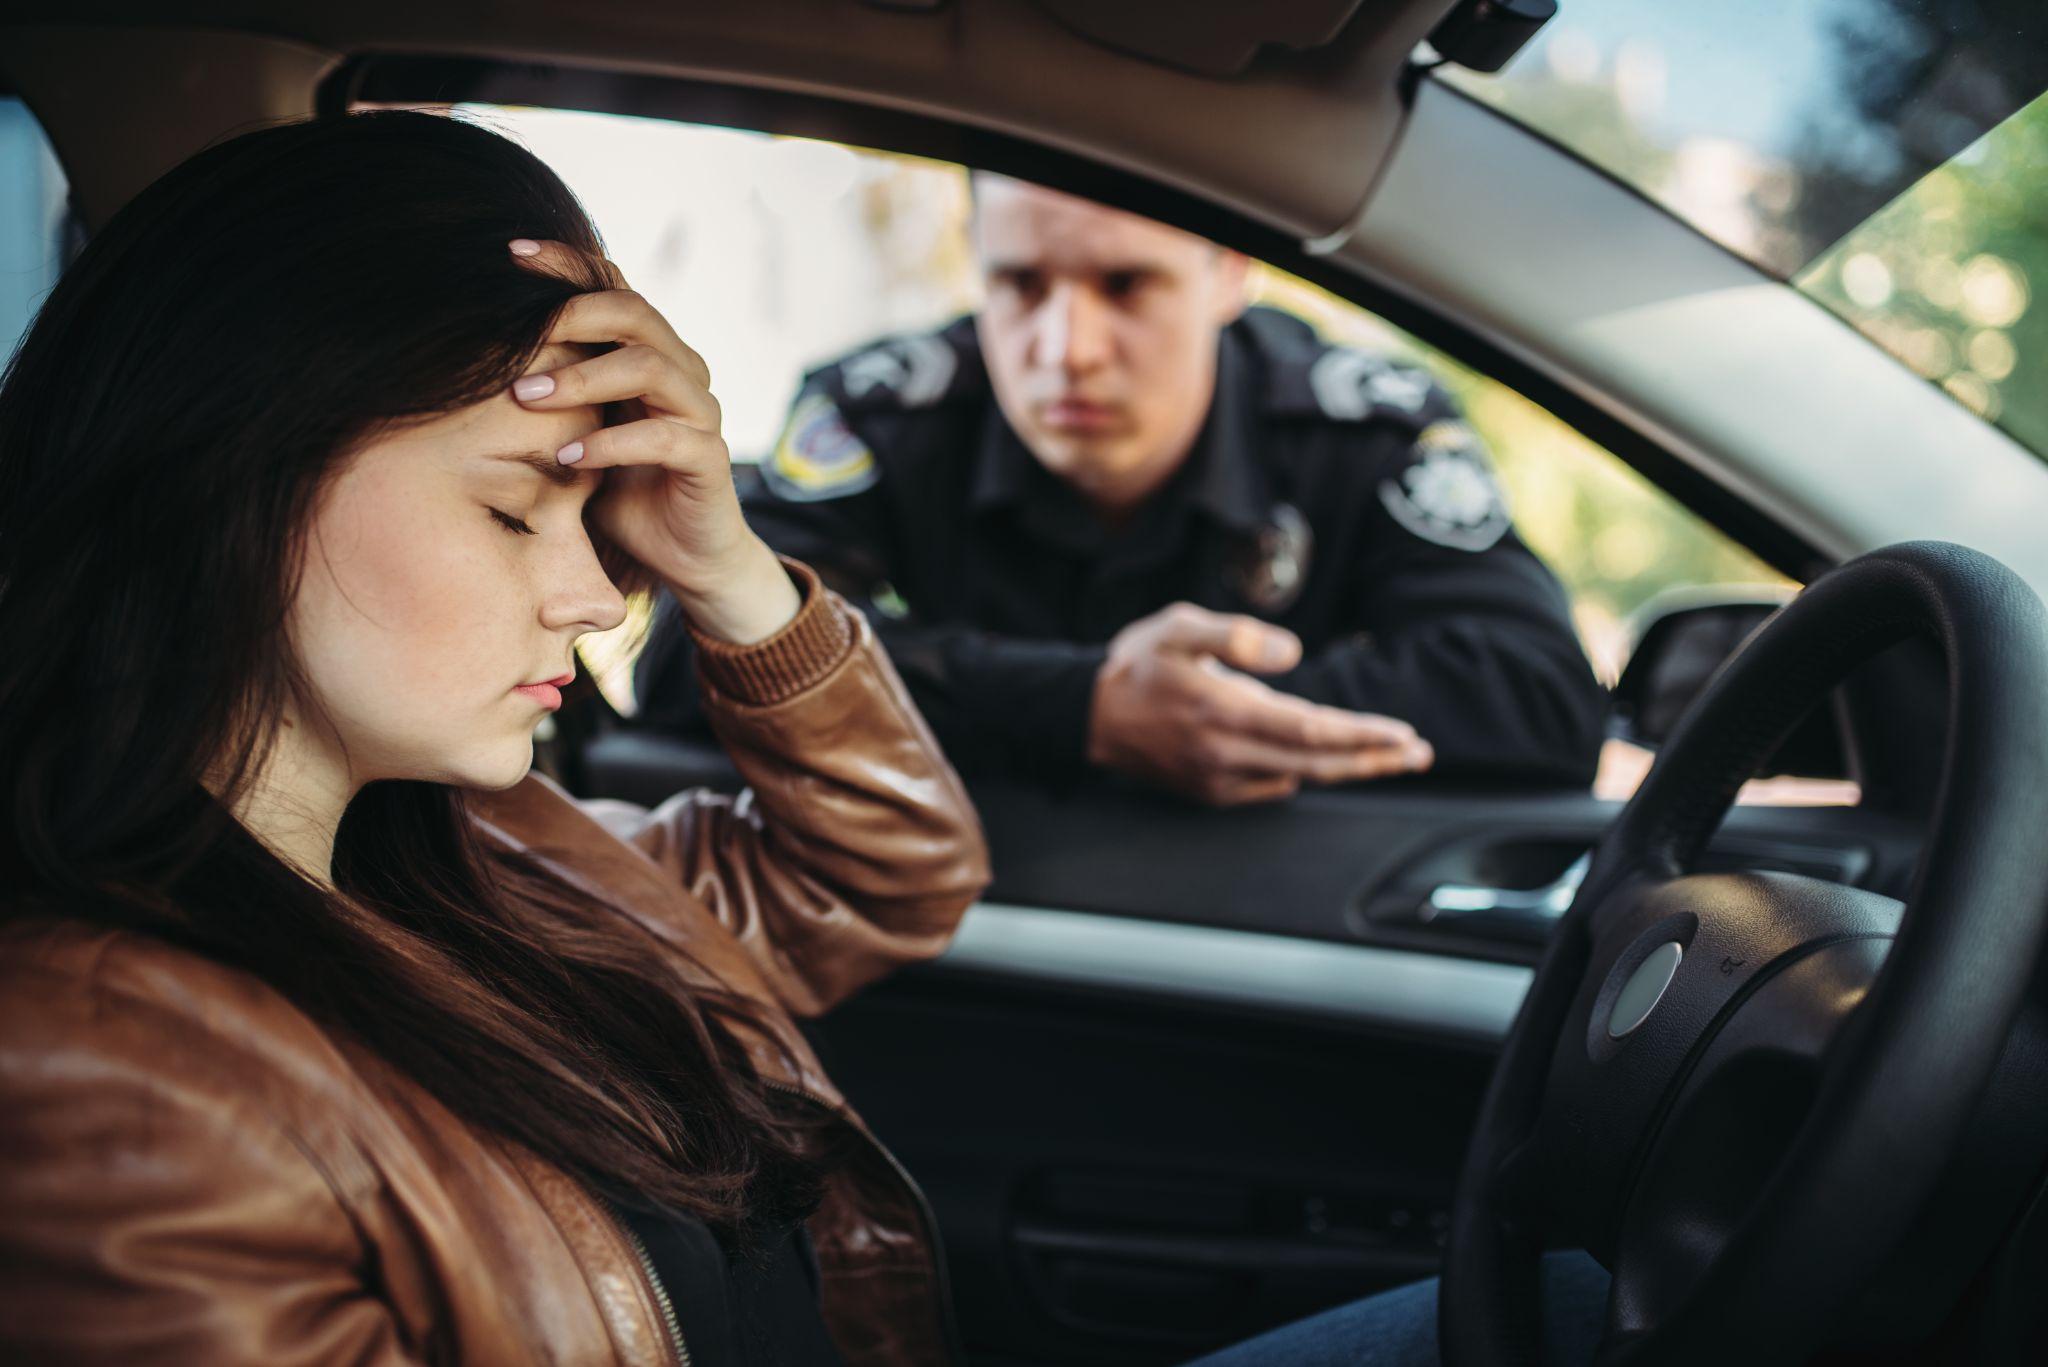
1949 276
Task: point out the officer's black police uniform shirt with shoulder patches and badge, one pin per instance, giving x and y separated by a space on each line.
1328 491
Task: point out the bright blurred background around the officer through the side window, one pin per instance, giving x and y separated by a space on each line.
775 255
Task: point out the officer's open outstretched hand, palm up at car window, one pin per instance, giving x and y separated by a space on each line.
1177 704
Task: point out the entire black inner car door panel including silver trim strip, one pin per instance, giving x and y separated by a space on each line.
1187 1075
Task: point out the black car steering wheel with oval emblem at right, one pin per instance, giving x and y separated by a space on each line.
1740 1089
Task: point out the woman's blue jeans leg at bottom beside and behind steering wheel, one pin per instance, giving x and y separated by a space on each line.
1398 1329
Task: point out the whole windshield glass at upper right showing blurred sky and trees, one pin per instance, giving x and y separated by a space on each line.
1885 157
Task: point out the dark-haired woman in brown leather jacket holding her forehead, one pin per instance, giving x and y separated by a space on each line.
327 1030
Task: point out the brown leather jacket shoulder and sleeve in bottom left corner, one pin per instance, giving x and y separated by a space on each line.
118 1245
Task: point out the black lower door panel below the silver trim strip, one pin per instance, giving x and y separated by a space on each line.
1132 1179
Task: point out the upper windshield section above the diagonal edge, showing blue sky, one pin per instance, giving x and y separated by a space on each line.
1773 126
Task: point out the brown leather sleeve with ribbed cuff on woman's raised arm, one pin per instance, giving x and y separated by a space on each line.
855 845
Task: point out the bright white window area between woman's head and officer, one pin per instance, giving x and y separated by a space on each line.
771 255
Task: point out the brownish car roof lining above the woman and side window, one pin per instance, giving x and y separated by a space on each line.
1293 138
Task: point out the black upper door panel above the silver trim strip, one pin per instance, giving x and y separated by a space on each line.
1334 864
